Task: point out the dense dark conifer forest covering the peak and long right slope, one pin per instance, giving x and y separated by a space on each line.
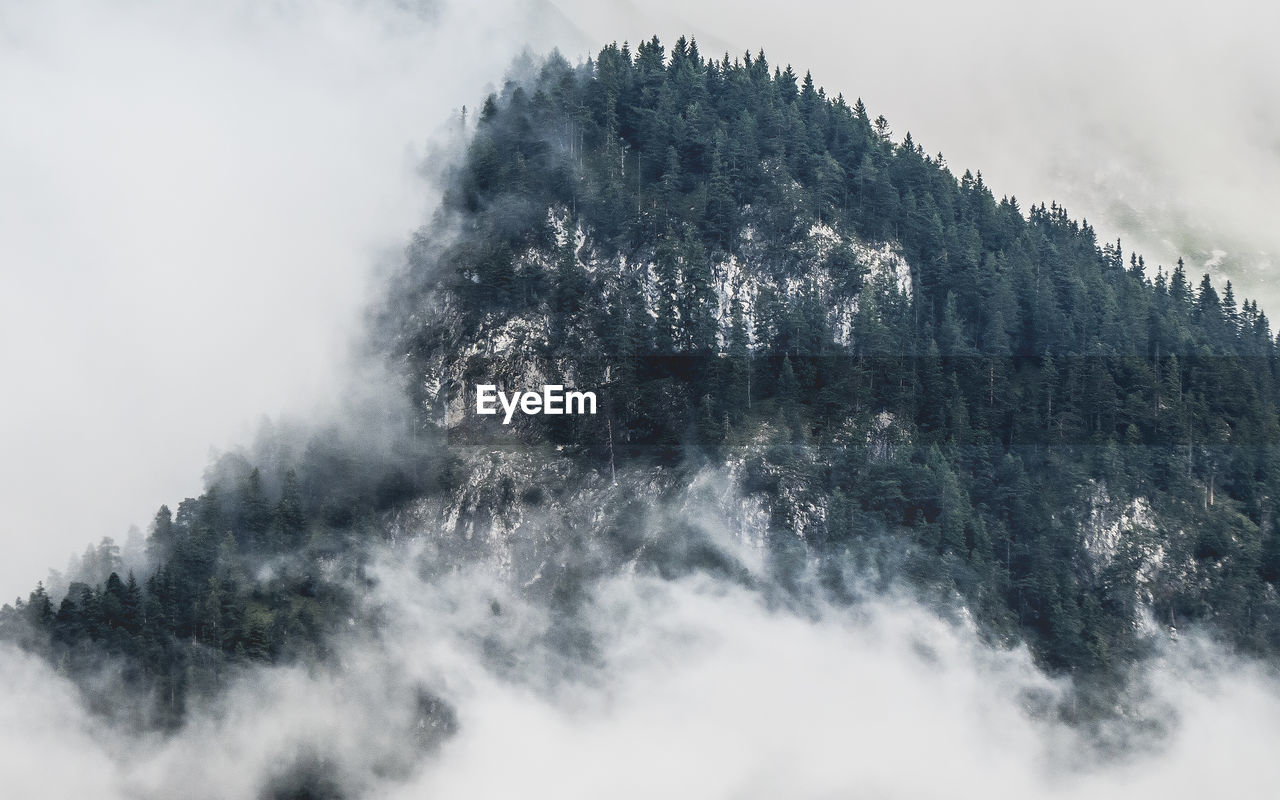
1028 367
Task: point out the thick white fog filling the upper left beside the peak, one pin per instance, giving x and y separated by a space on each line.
193 202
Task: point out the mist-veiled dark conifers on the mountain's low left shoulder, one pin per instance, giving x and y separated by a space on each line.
239 575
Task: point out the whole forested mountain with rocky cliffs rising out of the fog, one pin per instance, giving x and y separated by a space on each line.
822 362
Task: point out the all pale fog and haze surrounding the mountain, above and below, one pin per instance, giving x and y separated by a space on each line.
196 202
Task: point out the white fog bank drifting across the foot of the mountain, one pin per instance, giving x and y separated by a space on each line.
688 689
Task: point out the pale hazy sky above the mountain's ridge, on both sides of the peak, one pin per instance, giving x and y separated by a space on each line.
193 196
